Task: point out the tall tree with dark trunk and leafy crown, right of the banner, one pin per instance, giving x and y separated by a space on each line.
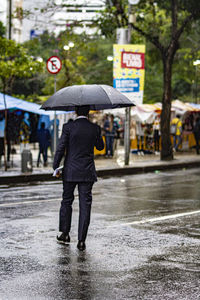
162 22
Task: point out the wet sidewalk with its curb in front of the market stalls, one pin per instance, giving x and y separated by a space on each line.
105 166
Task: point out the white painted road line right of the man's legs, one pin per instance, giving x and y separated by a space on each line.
162 218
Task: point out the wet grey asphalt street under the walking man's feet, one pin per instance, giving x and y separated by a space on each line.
143 241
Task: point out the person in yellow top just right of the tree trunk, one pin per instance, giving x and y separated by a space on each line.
176 130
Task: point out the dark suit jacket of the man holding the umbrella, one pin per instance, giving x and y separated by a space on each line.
78 140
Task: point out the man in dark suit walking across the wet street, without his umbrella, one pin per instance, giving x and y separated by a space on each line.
77 145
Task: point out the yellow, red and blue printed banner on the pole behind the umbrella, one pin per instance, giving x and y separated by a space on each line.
129 70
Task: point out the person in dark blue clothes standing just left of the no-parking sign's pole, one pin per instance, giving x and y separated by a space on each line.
44 140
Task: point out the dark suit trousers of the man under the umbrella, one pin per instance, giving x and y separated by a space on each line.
85 203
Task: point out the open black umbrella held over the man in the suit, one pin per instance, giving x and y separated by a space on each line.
97 96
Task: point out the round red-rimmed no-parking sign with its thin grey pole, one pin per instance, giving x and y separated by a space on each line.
54 66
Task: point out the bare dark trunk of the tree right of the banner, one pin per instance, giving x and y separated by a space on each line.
166 150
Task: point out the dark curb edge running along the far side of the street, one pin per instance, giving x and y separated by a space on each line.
104 173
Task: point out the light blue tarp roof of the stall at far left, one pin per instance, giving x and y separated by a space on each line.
15 103
